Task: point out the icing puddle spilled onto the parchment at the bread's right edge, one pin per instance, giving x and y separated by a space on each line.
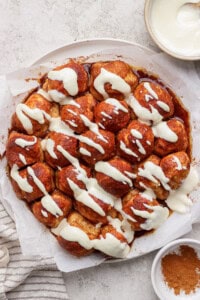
178 200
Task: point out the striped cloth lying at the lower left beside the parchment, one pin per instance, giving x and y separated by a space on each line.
27 277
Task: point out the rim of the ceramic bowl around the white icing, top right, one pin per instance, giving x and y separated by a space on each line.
147 16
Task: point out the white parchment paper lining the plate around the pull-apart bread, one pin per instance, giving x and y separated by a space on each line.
34 238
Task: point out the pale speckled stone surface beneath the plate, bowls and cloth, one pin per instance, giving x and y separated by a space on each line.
31 28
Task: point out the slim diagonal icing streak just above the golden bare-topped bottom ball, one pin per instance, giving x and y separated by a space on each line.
83 196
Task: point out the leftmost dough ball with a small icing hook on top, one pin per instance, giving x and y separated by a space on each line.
23 150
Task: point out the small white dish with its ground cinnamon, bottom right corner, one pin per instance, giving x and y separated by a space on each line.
175 271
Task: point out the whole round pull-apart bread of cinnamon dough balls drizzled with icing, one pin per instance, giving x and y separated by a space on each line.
97 152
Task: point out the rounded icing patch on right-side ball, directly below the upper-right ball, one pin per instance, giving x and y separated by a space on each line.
162 130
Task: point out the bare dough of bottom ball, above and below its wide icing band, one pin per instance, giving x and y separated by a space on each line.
76 220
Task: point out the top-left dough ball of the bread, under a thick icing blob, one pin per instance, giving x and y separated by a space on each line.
76 76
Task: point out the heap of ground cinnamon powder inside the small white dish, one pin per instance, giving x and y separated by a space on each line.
181 270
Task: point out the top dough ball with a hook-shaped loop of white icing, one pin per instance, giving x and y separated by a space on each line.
106 87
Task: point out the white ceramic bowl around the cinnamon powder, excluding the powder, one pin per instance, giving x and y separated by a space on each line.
159 285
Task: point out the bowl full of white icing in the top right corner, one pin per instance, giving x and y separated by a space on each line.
175 26
